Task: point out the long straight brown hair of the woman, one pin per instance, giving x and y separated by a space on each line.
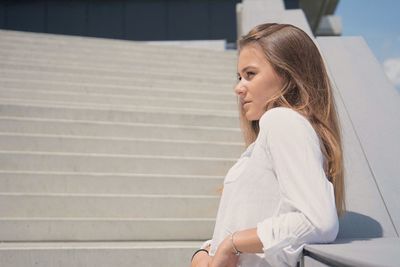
306 89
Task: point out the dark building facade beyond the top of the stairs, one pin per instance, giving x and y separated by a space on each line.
143 20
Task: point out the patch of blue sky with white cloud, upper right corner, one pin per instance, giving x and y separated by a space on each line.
378 21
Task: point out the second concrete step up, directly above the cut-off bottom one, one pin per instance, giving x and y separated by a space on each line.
104 229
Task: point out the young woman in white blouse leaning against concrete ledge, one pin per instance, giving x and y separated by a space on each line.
287 188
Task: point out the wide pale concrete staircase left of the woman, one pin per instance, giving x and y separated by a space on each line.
111 152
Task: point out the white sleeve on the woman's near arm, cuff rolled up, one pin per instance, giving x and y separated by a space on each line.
306 212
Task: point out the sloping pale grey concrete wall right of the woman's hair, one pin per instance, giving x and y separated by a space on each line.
372 106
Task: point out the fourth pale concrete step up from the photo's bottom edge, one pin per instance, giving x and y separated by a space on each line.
105 183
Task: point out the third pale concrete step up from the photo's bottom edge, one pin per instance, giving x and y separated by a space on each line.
107 206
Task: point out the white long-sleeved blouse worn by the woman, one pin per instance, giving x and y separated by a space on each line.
279 186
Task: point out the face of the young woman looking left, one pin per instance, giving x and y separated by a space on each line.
257 81
